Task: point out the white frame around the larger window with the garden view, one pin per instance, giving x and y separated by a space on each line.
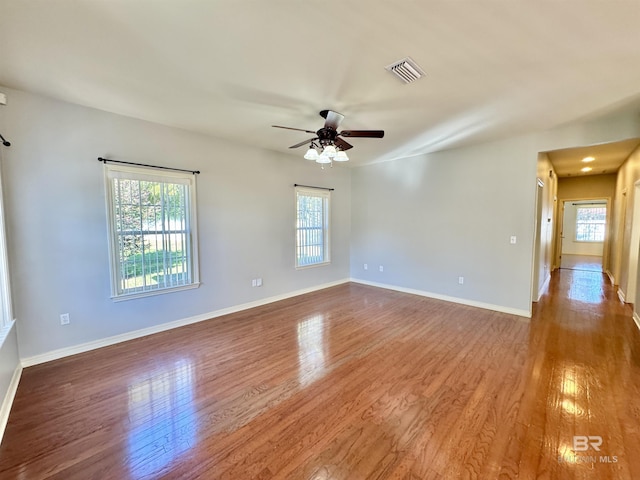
150 174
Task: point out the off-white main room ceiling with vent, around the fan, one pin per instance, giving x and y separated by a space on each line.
234 68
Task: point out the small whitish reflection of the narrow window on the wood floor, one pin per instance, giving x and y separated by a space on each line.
311 350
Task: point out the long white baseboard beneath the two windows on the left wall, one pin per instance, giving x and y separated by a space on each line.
105 342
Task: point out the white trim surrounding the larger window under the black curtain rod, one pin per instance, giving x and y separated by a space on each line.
113 242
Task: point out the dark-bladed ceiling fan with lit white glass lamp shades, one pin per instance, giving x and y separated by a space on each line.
327 145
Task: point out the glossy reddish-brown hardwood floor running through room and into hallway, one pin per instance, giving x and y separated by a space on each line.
352 382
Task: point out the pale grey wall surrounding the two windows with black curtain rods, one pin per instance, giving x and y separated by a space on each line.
55 203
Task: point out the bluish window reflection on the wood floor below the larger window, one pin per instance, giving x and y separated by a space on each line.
163 419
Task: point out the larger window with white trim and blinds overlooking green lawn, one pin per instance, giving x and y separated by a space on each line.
152 230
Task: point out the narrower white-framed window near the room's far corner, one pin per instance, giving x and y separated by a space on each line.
312 227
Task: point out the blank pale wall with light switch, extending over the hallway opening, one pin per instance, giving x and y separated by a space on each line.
432 218
